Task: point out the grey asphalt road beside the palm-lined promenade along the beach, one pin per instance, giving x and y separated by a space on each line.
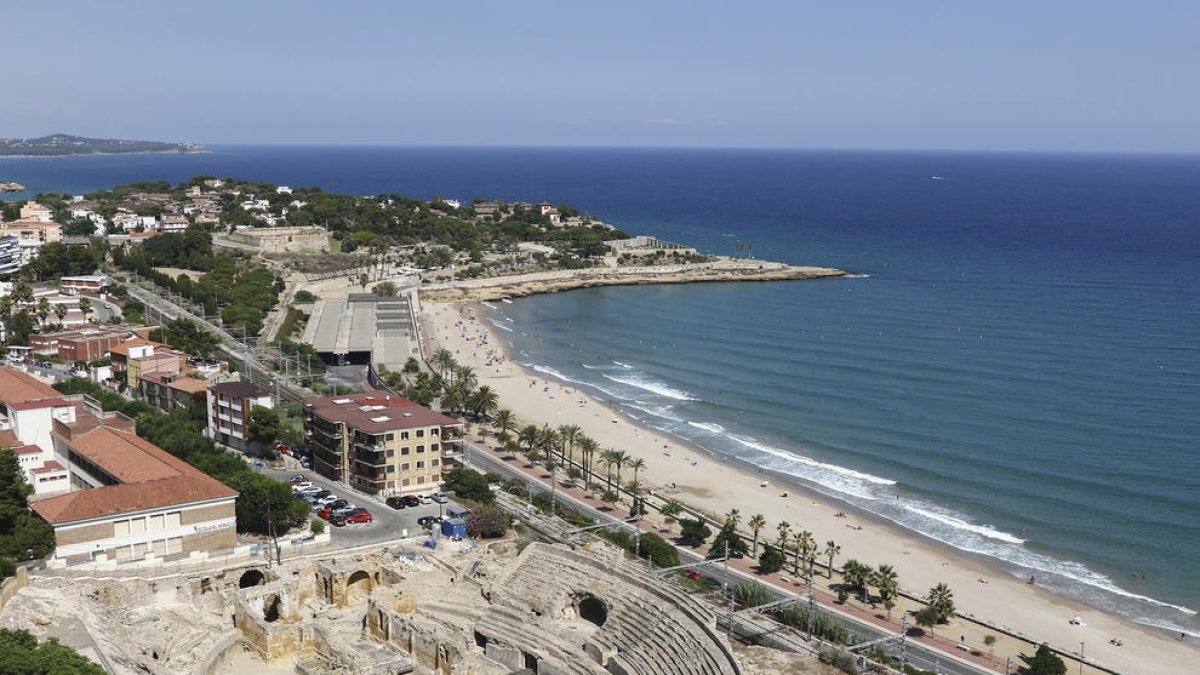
915 654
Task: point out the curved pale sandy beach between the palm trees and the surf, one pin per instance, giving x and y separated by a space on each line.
980 590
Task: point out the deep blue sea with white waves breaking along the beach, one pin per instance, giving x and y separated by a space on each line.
1013 369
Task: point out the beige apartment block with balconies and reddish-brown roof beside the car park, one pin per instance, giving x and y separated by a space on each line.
382 444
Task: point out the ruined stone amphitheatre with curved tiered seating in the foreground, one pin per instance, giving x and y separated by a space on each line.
401 608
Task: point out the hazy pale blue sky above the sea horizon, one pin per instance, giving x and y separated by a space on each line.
931 75
